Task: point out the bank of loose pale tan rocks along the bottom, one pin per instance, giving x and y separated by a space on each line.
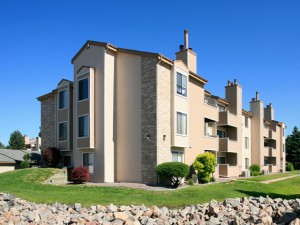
235 211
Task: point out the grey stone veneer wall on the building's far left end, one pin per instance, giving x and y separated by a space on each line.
48 118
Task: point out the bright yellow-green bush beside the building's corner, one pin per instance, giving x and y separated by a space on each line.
205 164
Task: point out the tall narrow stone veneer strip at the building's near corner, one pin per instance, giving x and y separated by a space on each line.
148 105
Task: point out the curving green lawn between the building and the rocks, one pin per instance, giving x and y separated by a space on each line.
26 184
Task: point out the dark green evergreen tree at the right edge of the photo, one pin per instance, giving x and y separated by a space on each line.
293 148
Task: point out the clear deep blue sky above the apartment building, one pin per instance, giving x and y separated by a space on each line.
254 41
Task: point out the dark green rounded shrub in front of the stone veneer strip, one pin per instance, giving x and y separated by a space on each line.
173 172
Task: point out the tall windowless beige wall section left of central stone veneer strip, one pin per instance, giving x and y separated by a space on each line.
128 118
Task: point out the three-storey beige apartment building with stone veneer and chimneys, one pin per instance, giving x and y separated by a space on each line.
128 111
